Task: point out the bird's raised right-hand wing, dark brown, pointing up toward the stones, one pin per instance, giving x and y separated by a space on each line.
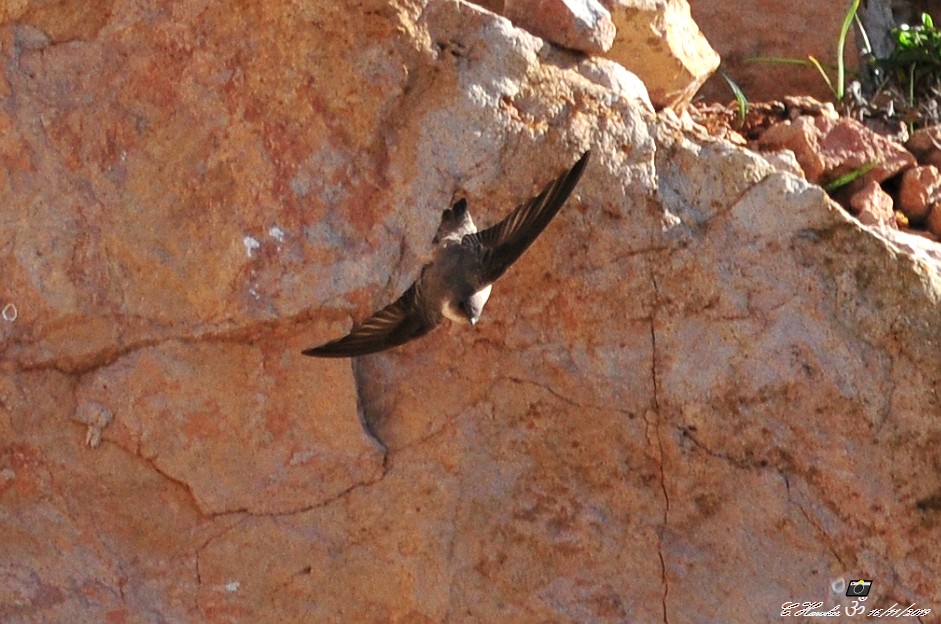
506 241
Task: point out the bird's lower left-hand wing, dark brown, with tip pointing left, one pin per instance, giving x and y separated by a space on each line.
390 327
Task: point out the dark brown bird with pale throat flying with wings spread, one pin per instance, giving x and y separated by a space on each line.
456 283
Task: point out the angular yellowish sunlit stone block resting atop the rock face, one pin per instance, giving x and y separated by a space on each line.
659 41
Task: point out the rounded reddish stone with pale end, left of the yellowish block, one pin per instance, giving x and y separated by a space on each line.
575 24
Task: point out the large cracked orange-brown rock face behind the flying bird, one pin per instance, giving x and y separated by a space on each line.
703 375
